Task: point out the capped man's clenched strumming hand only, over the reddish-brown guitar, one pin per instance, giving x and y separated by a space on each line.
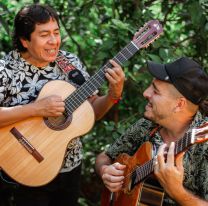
112 176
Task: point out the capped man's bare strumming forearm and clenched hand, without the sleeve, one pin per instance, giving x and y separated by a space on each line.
111 174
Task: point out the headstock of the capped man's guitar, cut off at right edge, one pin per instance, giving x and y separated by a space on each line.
200 134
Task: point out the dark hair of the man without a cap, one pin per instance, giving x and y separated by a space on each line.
27 18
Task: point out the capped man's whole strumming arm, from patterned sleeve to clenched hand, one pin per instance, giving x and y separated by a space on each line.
112 174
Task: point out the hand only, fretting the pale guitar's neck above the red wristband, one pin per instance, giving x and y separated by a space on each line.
116 78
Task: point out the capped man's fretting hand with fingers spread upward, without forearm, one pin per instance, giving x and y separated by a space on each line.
170 173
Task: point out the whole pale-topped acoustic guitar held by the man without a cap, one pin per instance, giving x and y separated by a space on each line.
32 151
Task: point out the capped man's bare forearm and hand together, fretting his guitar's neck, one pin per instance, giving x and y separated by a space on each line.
171 175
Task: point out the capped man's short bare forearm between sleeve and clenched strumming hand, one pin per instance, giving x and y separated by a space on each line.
101 162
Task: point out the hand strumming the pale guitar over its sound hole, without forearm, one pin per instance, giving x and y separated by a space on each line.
51 106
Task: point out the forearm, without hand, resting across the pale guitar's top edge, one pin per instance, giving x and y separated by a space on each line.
10 115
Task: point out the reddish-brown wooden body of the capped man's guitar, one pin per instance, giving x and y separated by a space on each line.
142 192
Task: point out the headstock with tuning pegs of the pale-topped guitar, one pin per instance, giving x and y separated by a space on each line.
148 33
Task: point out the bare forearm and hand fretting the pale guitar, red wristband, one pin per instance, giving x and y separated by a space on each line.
115 77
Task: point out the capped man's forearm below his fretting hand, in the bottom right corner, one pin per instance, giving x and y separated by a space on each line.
186 198
